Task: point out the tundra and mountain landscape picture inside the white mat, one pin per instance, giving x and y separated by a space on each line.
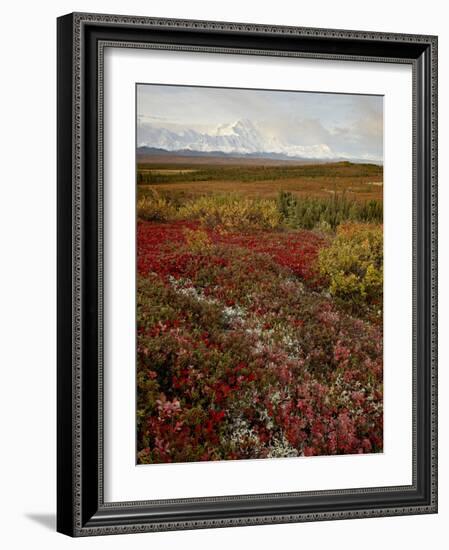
259 273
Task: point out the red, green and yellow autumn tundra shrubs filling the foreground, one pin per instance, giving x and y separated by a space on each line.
256 340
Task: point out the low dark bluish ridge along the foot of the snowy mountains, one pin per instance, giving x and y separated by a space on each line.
156 151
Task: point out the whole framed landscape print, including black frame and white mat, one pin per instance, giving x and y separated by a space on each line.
247 281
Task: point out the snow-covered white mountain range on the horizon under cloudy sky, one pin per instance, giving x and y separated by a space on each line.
241 137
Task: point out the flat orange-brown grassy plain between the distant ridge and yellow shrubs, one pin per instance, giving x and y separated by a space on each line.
358 181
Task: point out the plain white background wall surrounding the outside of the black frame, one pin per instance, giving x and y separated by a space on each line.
28 283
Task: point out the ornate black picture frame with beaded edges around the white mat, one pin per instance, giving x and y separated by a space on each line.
81 510
